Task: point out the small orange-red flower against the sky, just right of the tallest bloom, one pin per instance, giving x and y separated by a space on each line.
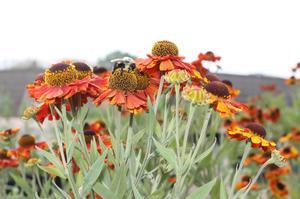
208 56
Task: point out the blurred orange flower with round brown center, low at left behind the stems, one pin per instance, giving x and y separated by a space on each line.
27 144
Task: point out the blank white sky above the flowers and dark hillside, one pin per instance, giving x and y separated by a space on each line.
254 36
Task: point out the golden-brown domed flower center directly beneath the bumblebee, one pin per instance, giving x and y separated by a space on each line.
123 80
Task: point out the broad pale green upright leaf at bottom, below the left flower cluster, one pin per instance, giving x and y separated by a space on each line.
93 174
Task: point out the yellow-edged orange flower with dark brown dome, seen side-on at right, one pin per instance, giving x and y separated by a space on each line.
253 133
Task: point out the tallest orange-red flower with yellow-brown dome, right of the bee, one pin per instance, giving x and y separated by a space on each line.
164 58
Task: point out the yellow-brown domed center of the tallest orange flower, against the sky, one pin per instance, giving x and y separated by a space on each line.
164 48
